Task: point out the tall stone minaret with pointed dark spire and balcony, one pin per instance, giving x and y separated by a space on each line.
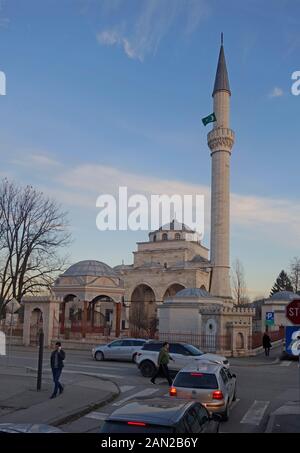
220 142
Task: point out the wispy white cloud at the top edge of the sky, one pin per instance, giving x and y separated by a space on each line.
148 23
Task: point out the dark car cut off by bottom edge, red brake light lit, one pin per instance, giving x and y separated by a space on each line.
162 415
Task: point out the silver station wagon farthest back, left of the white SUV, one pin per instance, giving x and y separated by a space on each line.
125 349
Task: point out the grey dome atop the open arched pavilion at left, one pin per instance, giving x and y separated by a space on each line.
90 268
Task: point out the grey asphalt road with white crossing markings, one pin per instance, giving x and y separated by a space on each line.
263 386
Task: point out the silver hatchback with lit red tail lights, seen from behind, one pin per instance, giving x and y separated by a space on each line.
211 384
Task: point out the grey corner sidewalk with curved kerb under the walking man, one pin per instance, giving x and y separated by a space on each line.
21 403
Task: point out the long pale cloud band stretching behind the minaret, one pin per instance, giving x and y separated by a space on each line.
79 186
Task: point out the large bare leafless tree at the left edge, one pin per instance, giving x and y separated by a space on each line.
32 230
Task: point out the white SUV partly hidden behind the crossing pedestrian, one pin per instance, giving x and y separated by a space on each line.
182 354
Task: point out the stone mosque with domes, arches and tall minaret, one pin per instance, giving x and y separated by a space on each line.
174 285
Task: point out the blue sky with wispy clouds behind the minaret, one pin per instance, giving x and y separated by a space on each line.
103 92
